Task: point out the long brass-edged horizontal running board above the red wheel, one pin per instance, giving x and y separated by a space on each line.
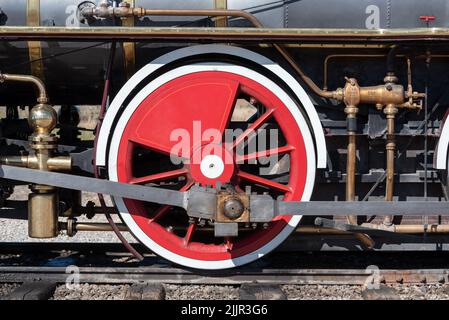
256 35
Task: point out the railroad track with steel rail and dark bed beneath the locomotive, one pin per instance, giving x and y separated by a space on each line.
100 264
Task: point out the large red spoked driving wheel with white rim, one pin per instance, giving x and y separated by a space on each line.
187 131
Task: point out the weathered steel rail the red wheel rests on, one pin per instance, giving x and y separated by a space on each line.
170 275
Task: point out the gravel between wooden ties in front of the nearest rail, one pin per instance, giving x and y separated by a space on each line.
292 292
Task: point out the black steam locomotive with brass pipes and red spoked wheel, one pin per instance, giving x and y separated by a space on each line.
296 101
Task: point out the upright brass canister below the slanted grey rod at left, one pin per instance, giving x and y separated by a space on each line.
43 214
